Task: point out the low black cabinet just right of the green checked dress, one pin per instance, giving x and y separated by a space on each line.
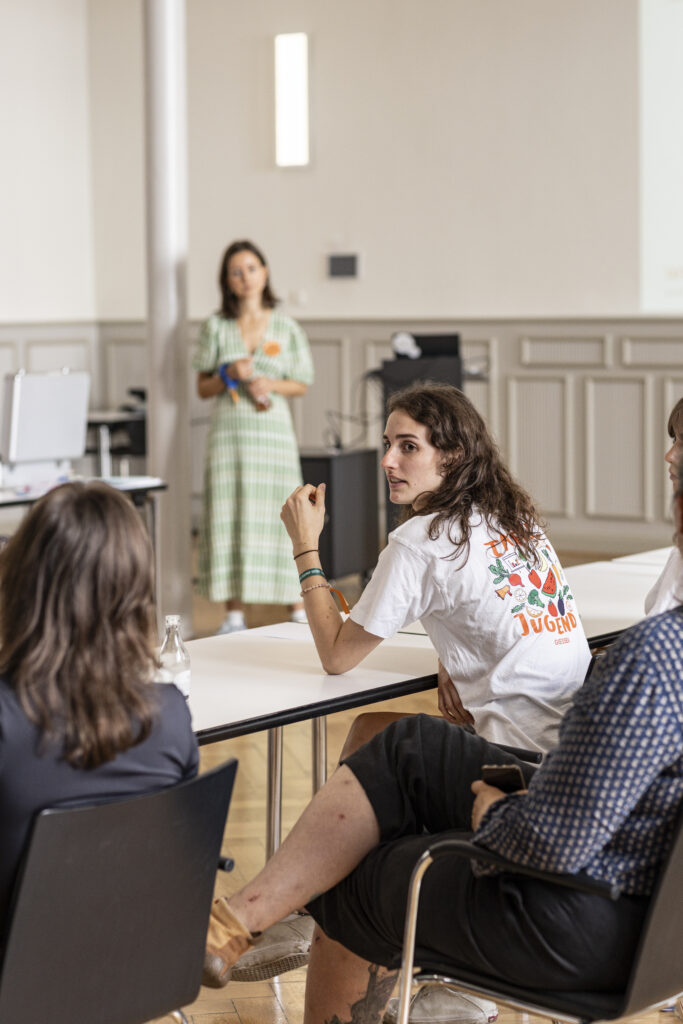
350 542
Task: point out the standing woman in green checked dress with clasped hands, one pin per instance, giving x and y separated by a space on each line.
250 360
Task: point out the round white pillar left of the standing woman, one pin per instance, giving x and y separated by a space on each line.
168 418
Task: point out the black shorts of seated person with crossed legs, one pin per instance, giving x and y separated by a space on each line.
417 775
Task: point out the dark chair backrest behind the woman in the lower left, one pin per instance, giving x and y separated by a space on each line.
111 912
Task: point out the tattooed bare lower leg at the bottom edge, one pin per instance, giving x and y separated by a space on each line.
341 987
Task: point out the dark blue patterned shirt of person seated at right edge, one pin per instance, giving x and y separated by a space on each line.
607 798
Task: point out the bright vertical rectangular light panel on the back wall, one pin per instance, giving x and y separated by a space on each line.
292 100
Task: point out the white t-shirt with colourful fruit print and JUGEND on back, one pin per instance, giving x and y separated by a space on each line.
506 631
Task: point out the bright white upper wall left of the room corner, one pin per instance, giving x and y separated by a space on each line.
47 246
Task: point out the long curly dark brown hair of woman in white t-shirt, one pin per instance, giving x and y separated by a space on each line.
476 479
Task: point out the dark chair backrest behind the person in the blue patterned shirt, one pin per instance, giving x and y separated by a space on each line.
658 971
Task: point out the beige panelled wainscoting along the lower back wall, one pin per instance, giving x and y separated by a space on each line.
578 407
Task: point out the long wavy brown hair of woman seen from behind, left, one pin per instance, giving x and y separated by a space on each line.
77 620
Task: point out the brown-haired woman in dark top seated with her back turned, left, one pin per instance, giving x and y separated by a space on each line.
80 716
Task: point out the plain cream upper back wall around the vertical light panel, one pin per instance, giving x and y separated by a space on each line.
481 155
